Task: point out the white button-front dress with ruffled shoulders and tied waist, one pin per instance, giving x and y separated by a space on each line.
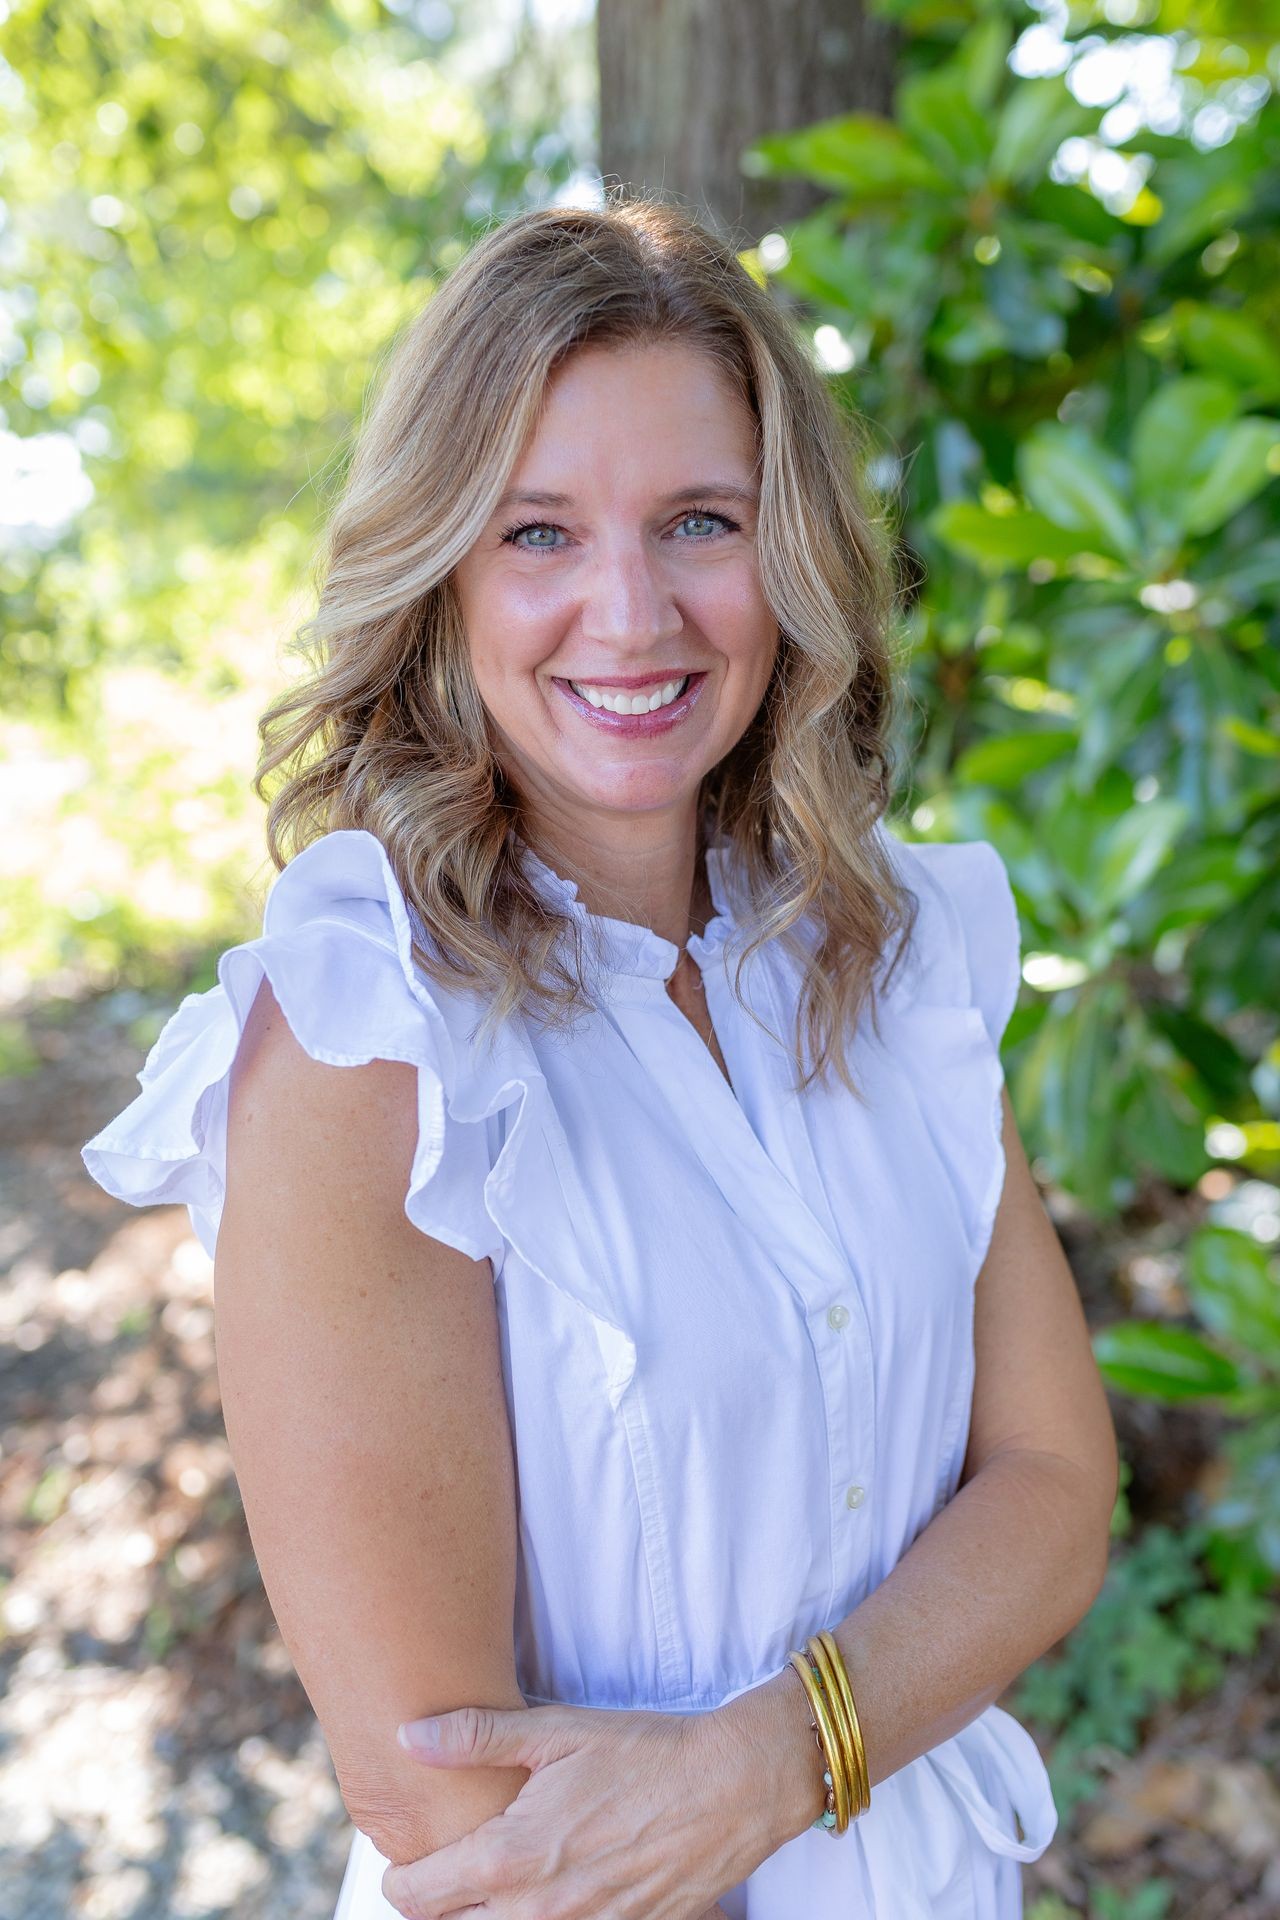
736 1324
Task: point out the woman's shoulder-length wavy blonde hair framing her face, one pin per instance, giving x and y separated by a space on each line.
389 731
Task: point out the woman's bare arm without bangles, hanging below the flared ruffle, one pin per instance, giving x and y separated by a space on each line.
366 1412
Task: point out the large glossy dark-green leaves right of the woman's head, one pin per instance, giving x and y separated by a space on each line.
1068 348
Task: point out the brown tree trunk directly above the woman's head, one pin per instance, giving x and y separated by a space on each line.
686 85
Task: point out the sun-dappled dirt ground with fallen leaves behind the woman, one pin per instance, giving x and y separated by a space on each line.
158 1758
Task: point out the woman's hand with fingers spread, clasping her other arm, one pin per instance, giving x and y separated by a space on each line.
627 1815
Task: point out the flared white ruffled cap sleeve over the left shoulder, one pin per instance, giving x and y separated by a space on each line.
337 949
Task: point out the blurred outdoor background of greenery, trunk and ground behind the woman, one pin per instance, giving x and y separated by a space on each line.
1039 249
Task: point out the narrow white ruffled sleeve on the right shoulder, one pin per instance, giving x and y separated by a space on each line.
953 1003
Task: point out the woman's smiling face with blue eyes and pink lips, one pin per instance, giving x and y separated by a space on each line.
621 571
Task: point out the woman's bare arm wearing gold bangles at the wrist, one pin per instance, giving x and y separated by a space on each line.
1005 1570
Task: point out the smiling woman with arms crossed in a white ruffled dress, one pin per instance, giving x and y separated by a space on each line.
627 1260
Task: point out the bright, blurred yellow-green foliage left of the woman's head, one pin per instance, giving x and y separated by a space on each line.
214 222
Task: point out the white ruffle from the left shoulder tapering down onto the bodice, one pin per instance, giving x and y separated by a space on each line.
339 951
